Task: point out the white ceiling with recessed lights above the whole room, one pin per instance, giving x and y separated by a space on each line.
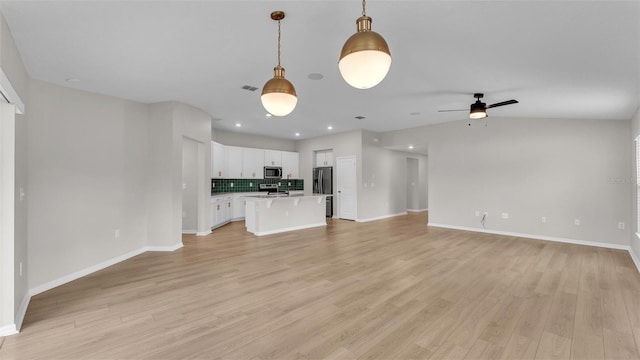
560 59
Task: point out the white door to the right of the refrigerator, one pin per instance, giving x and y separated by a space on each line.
346 179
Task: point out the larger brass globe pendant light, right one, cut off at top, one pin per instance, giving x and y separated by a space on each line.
365 58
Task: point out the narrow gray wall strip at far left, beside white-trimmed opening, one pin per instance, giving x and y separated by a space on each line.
11 64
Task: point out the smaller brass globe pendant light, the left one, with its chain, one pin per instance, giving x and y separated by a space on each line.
278 94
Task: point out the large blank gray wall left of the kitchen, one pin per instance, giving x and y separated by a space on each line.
87 165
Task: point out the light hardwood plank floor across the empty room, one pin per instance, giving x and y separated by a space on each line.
388 289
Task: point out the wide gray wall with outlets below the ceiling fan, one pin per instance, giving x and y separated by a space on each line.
529 168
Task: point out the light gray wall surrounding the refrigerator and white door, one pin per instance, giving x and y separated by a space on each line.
342 144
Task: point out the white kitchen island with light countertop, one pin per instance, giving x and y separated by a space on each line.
268 214
